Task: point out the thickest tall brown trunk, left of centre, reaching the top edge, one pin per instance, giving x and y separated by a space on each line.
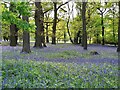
38 33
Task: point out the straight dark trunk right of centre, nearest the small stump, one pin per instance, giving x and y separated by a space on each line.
84 25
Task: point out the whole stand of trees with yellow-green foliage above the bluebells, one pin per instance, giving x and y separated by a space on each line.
51 22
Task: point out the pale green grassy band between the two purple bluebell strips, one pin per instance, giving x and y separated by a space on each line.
66 54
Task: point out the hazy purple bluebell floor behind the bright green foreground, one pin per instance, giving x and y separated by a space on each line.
67 53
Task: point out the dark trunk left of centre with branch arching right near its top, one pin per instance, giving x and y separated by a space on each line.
54 24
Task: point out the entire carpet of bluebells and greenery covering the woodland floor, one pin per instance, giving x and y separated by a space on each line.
60 66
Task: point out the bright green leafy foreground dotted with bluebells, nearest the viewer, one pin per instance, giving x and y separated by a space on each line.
32 74
